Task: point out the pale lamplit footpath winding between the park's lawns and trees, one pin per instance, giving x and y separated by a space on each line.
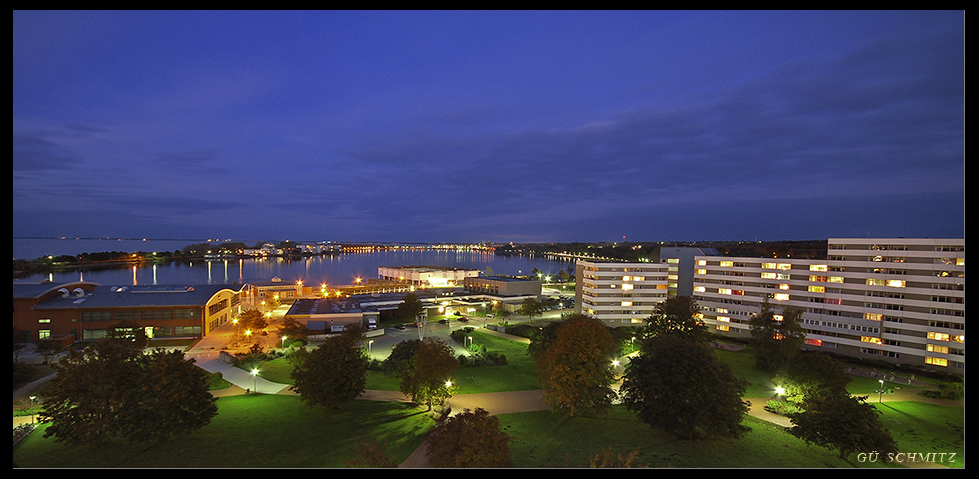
207 355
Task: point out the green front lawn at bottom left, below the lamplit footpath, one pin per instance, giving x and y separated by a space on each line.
252 431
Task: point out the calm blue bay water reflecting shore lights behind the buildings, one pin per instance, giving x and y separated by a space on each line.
333 270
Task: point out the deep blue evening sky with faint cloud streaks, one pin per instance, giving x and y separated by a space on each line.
489 125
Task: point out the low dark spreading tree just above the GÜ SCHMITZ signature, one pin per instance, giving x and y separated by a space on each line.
843 422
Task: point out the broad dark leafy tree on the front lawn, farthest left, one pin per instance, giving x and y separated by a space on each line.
112 389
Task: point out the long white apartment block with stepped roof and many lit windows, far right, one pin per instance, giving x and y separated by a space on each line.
896 299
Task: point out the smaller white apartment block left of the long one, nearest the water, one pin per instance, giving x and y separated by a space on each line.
619 293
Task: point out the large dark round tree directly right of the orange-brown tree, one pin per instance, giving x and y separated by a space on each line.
681 387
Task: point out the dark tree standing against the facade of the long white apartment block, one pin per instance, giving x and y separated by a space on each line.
776 338
